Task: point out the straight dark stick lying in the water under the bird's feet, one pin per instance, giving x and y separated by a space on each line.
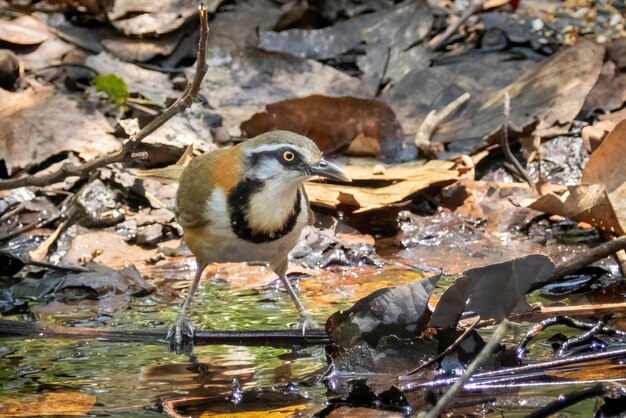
274 338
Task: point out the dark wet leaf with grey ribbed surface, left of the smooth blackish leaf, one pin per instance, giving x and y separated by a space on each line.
400 311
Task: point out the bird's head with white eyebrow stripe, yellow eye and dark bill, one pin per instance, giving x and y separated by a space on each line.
286 157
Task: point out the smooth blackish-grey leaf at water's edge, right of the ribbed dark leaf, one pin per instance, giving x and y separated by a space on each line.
493 292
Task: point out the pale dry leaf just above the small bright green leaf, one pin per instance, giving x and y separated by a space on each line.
153 85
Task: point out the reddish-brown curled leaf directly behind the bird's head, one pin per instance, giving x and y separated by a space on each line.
333 123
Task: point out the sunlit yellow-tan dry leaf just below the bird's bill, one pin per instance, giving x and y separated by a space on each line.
362 199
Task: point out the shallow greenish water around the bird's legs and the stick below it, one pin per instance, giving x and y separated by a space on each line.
129 379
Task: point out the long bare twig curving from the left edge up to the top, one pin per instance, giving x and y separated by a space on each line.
131 143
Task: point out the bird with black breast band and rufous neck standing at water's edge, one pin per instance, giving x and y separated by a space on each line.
247 203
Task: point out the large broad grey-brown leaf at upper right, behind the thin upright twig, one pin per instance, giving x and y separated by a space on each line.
550 94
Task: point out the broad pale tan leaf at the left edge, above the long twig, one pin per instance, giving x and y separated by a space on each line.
37 124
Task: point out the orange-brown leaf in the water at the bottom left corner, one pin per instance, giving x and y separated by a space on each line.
48 404
